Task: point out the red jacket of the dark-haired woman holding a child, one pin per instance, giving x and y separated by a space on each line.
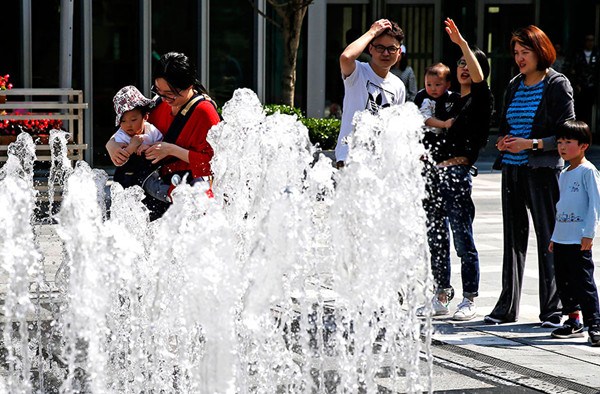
192 137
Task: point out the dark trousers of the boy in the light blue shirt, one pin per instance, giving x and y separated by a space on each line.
574 270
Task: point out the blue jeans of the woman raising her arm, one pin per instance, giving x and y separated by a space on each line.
449 206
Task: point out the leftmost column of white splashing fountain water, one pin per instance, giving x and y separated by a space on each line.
19 262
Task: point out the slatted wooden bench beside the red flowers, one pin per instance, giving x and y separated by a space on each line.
54 104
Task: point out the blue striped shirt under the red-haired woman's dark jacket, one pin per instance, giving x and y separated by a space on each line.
519 116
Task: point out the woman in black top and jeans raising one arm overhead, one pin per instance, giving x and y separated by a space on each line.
449 202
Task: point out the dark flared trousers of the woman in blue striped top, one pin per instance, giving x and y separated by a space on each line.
536 189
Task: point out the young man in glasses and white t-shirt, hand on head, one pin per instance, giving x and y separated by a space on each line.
369 85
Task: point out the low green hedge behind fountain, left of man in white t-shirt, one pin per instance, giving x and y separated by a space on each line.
320 131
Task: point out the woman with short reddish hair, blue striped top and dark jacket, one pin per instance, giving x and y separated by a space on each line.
536 103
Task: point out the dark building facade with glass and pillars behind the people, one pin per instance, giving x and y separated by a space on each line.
100 46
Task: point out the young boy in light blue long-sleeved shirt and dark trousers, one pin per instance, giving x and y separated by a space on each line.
577 217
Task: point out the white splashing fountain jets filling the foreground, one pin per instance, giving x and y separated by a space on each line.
287 281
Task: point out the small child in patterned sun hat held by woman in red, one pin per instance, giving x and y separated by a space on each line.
132 109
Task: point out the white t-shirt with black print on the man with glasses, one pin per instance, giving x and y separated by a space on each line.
365 90
